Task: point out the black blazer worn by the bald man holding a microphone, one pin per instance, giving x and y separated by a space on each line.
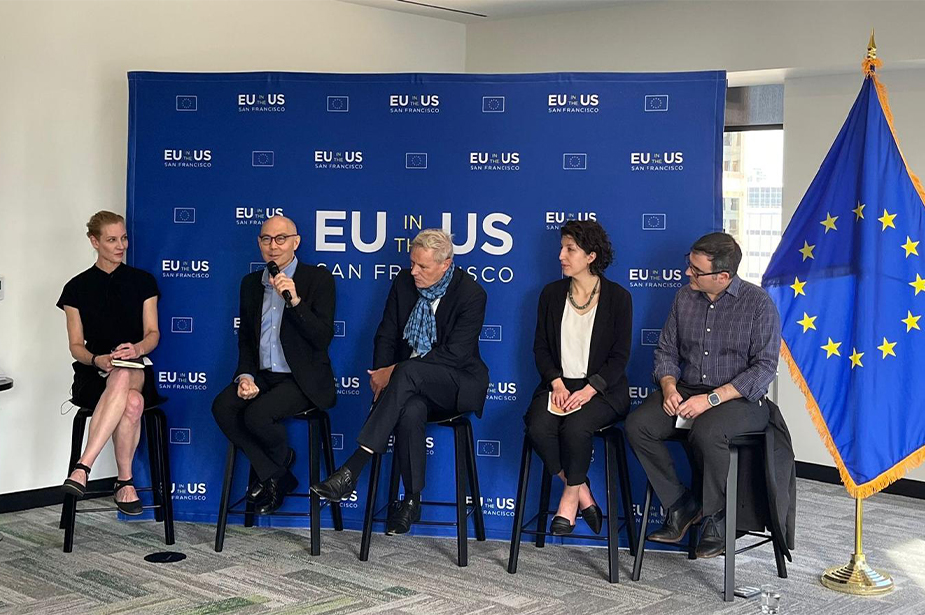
305 332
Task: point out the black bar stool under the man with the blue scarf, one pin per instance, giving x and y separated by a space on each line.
466 472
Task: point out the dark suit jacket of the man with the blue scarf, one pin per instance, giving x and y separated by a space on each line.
459 315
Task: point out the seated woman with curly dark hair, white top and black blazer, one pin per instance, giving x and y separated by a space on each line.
582 345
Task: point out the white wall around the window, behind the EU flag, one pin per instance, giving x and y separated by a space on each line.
814 48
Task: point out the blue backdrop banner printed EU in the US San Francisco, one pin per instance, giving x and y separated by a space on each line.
362 163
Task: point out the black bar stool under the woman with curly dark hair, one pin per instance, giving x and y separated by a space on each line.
615 471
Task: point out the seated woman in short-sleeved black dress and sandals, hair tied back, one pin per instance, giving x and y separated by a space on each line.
111 311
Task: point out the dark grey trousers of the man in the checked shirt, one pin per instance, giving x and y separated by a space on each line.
648 426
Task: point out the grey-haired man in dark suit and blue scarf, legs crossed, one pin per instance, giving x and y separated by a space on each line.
426 367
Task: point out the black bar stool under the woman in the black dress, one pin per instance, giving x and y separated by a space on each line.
154 423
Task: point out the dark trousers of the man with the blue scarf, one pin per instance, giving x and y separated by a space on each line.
417 393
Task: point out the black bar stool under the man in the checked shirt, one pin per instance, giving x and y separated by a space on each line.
756 440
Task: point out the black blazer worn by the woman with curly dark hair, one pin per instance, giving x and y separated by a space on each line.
611 338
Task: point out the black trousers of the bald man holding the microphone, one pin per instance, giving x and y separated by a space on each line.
255 425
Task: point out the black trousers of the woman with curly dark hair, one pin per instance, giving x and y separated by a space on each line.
566 442
